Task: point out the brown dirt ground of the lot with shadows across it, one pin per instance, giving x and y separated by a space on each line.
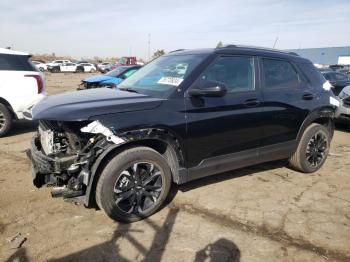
262 213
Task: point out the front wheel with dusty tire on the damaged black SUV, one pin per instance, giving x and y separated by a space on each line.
114 174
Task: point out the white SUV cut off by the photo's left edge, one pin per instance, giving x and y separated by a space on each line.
21 87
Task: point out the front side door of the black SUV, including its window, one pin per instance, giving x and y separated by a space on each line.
219 126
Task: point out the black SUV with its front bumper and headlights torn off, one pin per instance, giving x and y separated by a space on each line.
186 115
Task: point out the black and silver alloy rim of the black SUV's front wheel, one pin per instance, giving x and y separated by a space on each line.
138 188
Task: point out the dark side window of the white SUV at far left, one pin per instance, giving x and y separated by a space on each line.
15 63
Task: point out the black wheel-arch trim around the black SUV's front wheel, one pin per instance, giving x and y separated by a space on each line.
133 138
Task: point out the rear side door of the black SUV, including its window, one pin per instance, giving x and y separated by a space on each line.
287 99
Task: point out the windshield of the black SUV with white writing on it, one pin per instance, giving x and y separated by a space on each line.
160 77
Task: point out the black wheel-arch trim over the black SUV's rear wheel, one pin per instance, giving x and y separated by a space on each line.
325 112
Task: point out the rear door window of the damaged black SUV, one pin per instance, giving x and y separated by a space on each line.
279 74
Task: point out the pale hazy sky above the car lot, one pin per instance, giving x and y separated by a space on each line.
114 28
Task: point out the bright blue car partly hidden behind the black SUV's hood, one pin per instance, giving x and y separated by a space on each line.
110 79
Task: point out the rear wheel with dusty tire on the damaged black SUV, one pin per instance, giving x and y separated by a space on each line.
312 150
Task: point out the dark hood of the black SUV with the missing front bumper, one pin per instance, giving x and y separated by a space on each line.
81 105
